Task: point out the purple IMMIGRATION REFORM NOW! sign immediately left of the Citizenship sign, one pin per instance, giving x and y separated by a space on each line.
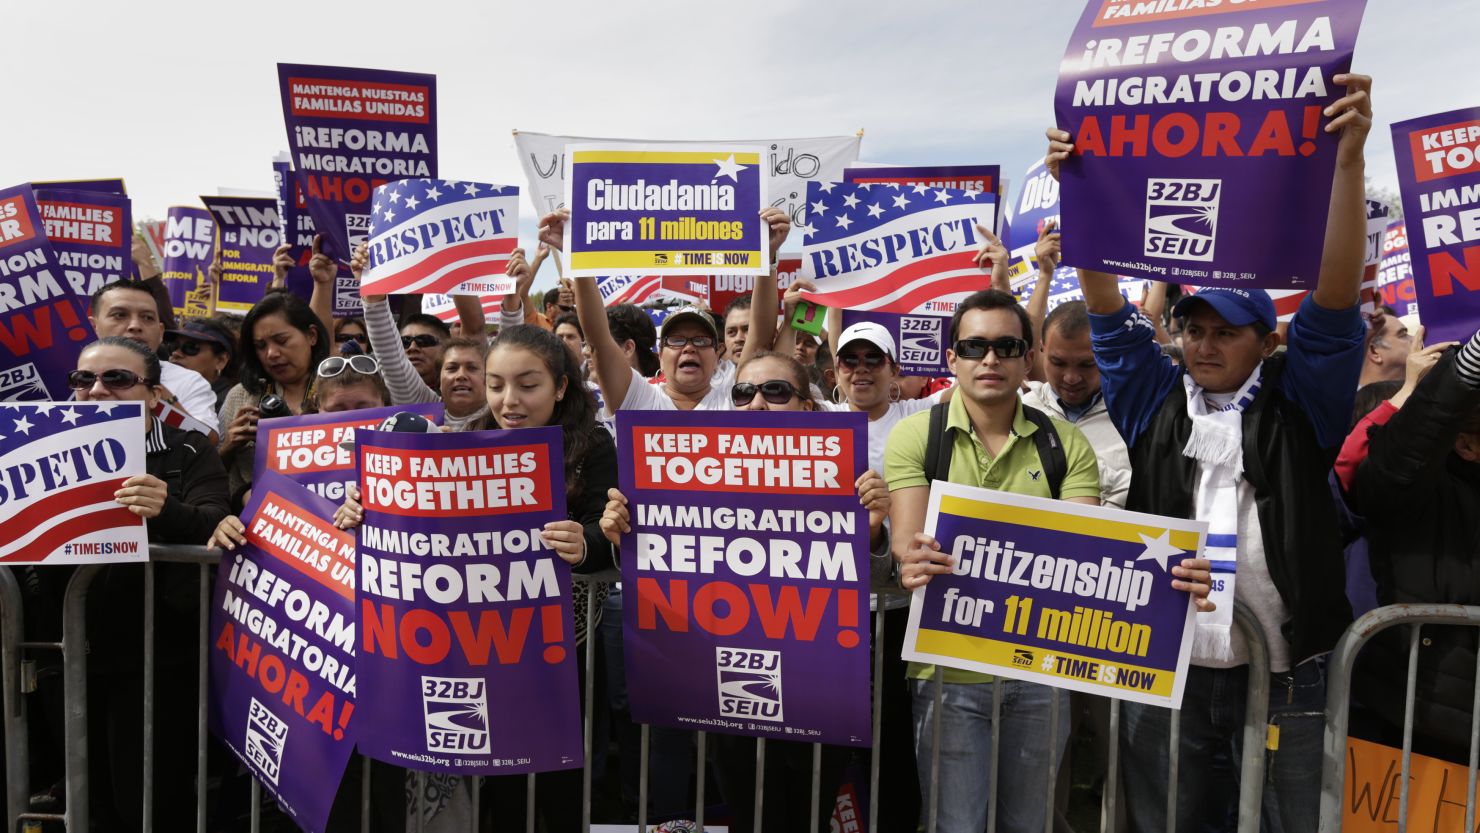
750 556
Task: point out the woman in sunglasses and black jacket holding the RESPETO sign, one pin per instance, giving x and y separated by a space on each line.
183 496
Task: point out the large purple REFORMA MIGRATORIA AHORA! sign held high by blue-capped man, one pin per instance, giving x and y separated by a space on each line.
1200 147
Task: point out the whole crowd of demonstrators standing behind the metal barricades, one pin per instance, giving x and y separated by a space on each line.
1336 461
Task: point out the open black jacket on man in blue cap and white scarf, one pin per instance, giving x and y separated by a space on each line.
1287 467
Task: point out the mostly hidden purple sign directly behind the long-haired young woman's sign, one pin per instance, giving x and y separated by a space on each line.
313 449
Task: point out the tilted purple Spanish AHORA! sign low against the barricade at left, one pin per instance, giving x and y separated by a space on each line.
283 649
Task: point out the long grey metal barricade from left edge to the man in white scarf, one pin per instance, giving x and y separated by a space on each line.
75 655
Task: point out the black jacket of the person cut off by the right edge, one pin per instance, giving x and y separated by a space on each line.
1422 504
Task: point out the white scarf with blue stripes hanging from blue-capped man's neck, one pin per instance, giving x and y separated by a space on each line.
1217 445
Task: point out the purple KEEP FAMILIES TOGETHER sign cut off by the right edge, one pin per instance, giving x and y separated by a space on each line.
1439 177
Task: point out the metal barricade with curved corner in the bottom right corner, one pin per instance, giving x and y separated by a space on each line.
1339 705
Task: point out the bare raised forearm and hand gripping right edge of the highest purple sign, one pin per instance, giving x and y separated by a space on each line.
1342 260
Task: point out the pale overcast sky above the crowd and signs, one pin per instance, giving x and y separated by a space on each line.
181 97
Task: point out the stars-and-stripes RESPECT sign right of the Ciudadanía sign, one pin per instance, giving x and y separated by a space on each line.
895 249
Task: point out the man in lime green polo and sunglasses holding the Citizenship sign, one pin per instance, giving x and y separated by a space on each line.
992 448
